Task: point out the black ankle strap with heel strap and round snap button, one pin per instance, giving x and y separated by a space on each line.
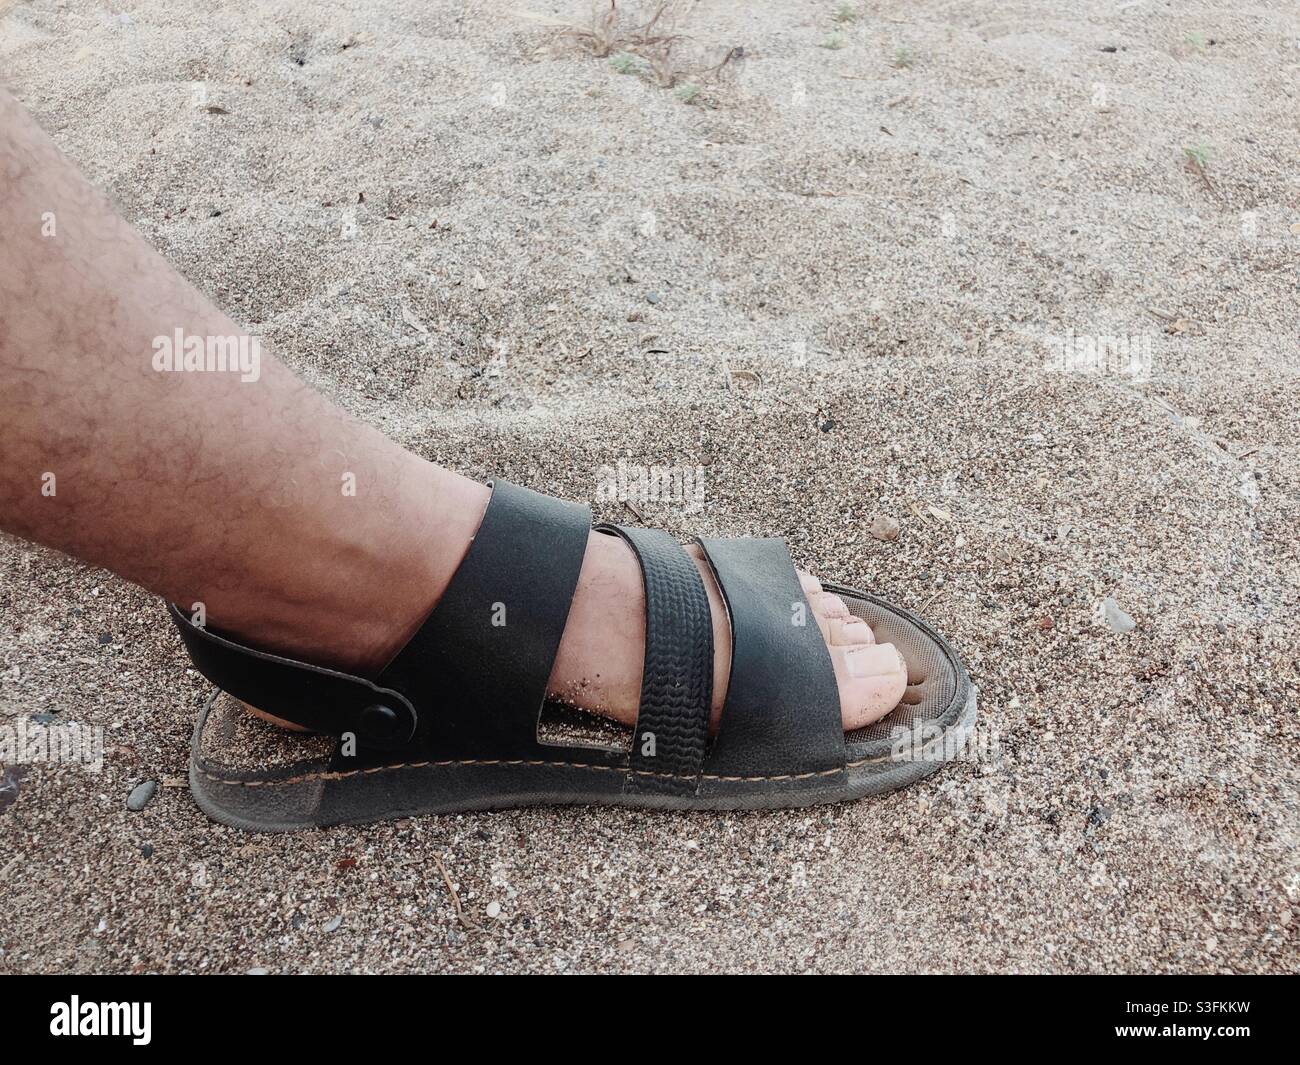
473 681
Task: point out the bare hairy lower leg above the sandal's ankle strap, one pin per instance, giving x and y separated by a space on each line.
200 486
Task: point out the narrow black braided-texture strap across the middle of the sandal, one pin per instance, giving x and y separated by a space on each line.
678 679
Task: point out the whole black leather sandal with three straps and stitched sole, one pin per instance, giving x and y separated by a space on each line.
453 724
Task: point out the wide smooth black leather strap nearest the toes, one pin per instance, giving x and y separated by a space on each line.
783 703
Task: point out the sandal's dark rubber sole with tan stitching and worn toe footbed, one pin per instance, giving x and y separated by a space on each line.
911 743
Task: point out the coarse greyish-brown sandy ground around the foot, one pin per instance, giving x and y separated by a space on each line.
831 276
